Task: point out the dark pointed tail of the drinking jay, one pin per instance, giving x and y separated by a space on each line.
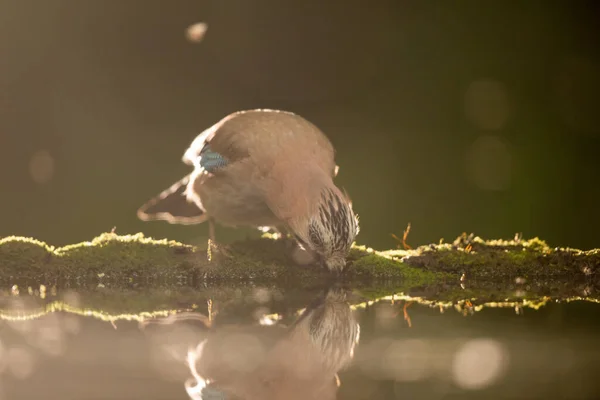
171 205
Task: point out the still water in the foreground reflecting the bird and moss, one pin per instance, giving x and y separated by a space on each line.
255 342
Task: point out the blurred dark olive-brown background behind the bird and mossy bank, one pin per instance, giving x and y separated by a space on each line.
453 116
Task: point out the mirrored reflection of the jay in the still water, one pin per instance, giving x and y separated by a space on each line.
302 363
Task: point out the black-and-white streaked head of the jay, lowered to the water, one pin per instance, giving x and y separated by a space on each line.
331 229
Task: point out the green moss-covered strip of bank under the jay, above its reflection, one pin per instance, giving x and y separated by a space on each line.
136 259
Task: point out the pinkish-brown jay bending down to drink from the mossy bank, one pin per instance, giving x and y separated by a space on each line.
264 168
